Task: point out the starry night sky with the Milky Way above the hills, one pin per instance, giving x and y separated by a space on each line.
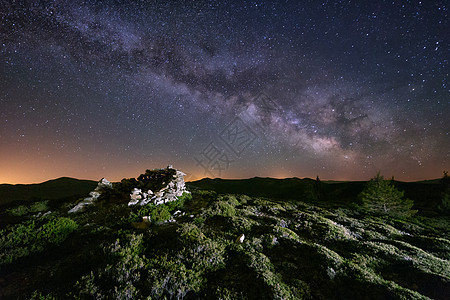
231 89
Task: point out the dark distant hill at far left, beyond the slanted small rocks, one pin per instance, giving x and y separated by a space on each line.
52 189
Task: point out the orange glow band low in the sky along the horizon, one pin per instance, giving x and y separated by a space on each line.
30 171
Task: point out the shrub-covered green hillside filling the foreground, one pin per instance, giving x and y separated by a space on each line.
220 246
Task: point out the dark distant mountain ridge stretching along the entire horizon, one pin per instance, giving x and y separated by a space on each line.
426 194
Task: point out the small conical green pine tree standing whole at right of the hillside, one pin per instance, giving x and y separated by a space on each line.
380 197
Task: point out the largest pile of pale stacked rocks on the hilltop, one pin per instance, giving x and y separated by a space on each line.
171 185
